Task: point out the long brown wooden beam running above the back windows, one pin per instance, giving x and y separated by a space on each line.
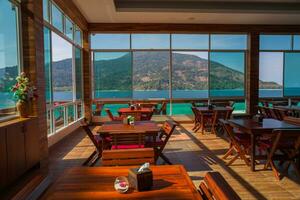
190 28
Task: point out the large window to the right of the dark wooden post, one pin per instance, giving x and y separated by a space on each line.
278 66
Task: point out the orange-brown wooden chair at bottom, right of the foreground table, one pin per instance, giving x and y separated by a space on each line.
215 187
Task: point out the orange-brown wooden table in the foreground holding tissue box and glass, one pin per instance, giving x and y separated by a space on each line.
170 182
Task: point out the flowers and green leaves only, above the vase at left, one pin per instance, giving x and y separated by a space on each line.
23 90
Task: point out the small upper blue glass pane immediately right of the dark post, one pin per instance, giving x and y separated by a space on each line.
275 42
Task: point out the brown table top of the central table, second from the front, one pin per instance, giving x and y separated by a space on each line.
139 126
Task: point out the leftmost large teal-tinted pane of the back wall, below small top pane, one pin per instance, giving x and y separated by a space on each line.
112 75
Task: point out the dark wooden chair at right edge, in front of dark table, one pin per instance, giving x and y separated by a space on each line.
287 142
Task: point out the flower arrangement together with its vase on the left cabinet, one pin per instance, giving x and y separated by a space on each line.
24 93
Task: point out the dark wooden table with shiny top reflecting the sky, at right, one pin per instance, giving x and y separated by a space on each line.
256 129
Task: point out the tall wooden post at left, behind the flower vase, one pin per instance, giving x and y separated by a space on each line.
33 65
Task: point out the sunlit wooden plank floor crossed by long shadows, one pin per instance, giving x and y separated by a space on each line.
199 154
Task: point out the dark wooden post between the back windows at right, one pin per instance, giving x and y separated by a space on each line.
252 74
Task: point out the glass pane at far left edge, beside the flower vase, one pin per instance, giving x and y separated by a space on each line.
9 54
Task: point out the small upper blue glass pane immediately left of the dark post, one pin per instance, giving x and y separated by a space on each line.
220 41
